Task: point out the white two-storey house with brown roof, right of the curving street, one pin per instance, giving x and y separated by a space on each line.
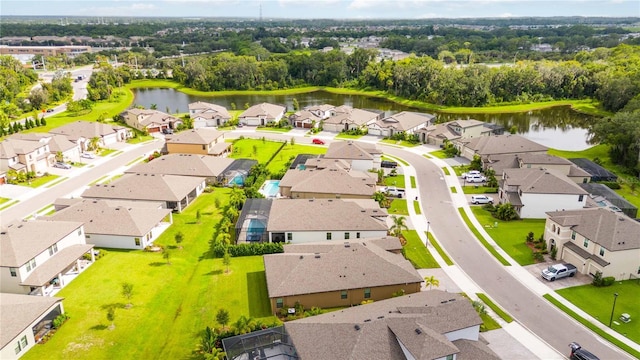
533 192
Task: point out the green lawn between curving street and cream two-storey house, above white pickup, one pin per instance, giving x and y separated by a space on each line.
510 235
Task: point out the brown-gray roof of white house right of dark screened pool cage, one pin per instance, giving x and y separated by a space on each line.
321 215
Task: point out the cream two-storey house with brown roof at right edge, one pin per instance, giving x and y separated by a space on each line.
596 239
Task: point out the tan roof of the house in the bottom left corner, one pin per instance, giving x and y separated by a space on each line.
18 312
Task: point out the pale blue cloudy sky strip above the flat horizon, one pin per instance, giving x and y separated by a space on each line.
323 9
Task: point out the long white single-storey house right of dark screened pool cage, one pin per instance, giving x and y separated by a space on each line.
311 220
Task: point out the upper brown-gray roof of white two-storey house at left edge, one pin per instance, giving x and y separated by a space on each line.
22 241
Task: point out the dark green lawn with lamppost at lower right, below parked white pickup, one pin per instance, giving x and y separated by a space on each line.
598 303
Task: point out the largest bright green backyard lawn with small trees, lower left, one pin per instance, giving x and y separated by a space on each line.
172 303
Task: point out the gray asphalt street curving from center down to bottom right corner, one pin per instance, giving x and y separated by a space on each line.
533 312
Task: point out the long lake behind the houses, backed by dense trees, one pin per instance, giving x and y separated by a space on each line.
558 127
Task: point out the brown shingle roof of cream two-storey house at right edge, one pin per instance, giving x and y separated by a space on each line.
611 230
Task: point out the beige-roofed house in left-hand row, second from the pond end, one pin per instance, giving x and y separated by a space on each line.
82 133
